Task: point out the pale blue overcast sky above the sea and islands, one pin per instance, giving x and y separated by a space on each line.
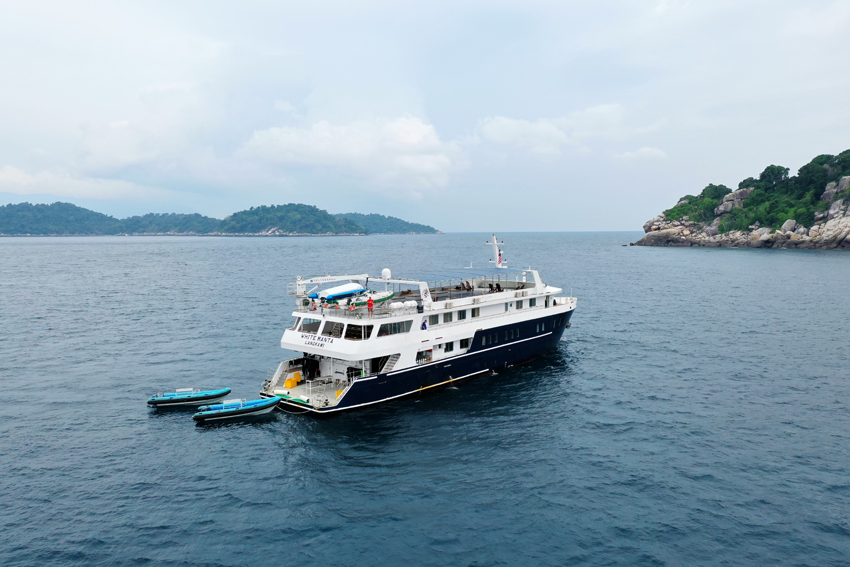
468 116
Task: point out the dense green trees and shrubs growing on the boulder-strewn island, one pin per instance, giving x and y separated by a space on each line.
776 196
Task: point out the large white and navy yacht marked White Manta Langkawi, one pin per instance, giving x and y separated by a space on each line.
367 340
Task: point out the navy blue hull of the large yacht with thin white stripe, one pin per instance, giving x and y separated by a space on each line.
492 349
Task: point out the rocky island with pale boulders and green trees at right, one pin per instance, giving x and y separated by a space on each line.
809 210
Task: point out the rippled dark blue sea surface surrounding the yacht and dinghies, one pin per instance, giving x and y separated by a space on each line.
697 412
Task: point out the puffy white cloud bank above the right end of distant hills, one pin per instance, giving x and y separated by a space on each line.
403 152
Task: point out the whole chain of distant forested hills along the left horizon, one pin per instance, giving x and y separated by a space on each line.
68 219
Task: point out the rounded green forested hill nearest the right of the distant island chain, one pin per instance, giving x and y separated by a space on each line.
291 218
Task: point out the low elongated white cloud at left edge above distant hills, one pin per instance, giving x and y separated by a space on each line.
19 182
